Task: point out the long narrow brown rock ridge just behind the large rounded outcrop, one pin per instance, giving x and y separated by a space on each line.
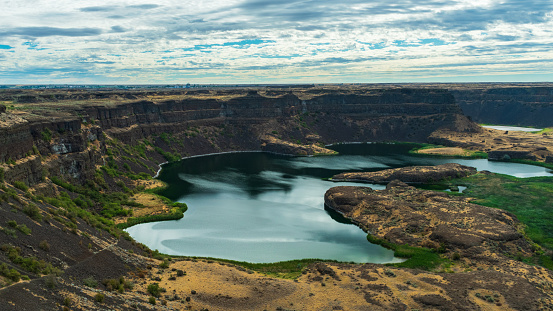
411 174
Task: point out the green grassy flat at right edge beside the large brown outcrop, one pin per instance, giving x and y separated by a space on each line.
530 199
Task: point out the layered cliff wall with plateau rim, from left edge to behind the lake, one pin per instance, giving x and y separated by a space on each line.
69 138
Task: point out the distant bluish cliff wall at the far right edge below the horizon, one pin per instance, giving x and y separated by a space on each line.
508 105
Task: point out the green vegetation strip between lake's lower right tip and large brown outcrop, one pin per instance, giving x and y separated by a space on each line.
417 257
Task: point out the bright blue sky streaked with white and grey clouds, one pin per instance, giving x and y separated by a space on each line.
275 41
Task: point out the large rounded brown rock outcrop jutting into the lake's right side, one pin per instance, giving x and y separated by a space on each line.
405 215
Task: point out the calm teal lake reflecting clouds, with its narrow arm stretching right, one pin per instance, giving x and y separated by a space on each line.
260 207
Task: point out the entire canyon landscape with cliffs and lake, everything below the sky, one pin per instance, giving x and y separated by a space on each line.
89 219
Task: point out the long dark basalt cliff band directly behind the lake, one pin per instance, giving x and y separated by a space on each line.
376 115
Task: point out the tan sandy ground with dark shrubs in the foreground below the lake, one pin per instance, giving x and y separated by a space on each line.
215 285
